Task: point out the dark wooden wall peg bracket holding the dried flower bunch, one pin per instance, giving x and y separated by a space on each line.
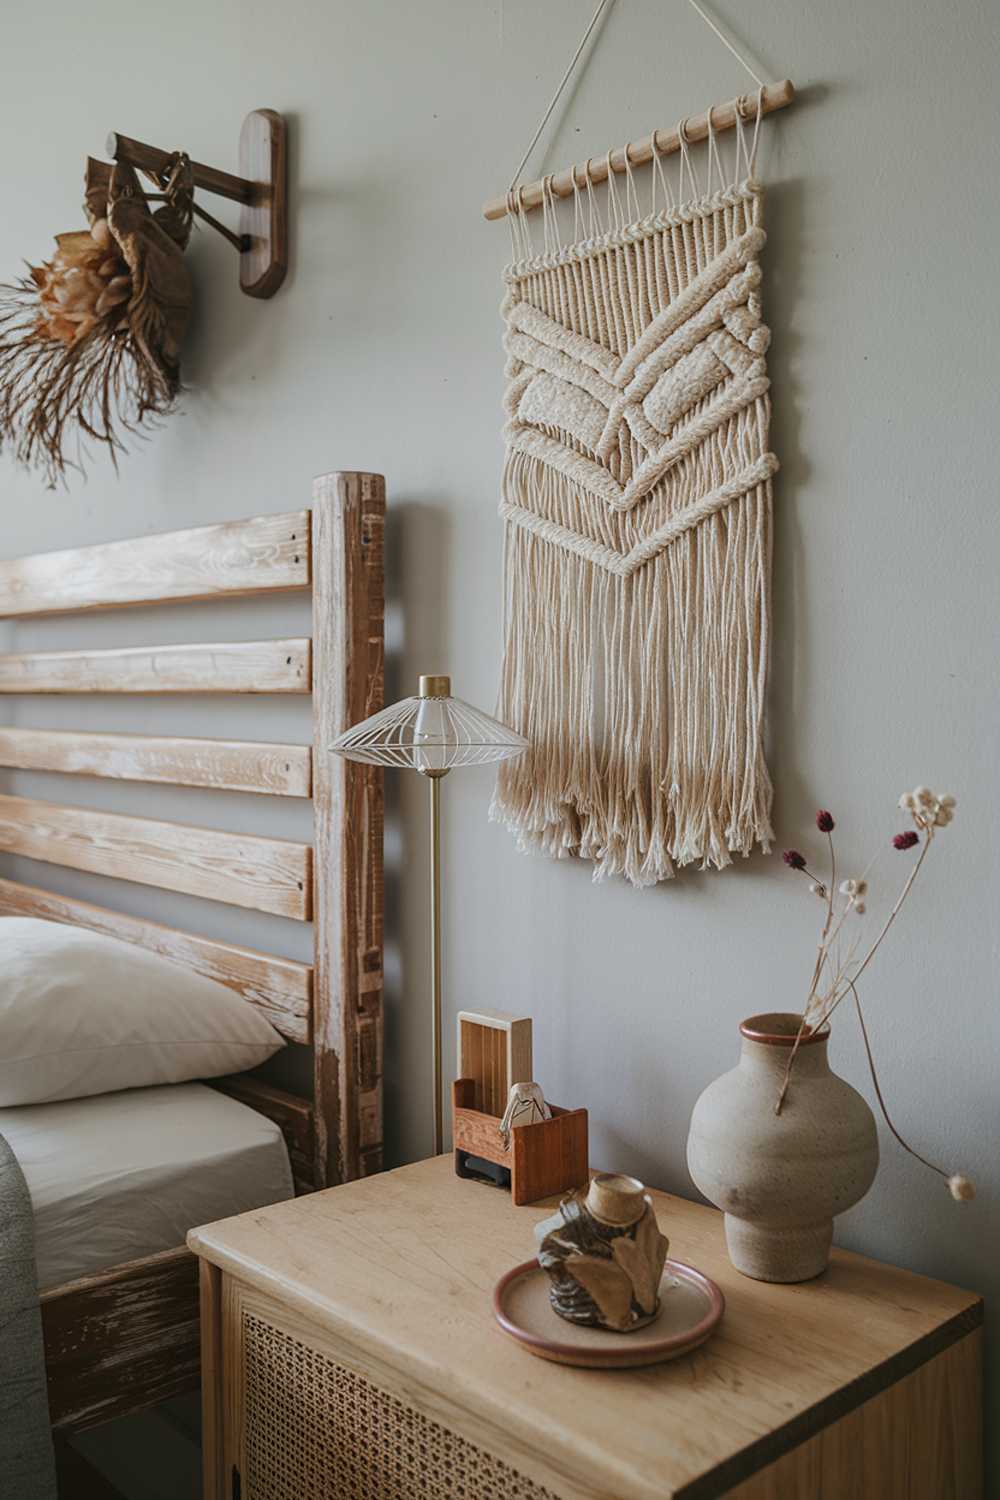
262 190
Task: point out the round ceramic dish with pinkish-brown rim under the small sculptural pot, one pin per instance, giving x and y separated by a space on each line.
692 1307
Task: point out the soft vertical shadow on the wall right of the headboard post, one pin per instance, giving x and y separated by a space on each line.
418 631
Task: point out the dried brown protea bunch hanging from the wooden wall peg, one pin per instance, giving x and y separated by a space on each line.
91 341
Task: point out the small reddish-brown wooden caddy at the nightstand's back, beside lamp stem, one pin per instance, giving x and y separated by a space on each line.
543 1159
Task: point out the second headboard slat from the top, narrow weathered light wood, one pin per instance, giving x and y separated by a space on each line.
227 667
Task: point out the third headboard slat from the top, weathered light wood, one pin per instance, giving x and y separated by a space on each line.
223 764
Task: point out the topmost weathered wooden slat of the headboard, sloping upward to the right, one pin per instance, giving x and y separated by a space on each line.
233 557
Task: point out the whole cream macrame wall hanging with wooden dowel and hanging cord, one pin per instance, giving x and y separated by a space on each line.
636 499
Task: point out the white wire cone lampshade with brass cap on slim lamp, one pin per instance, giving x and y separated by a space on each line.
433 734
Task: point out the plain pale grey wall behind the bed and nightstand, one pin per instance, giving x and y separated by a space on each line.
383 352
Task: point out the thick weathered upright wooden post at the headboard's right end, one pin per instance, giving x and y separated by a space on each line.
349 596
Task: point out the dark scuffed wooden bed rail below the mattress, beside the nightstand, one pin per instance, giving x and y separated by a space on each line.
122 1340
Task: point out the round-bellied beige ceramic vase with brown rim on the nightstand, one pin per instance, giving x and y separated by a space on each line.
782 1178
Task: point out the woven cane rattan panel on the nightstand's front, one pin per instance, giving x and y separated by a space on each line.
316 1430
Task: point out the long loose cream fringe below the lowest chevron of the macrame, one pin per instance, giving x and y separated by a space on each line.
642 697
